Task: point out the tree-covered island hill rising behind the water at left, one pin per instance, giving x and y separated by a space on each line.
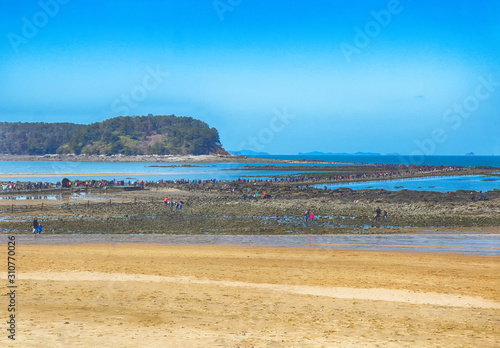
125 135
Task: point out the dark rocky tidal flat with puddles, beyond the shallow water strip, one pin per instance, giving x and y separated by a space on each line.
216 208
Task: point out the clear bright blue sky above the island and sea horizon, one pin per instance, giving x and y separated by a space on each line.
276 76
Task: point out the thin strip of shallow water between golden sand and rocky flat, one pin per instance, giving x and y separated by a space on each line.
467 243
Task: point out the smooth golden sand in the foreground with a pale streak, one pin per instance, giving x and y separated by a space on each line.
229 296
